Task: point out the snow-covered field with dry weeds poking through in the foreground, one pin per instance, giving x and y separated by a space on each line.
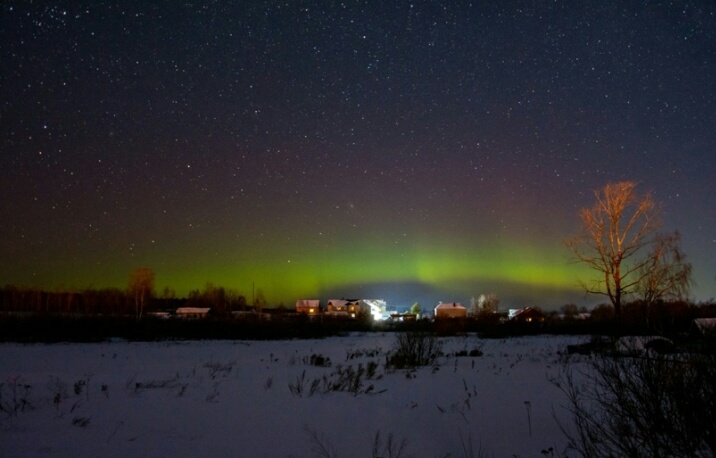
240 399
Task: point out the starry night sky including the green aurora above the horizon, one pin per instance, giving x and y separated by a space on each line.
410 151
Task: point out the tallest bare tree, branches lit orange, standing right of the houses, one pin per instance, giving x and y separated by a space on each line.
616 233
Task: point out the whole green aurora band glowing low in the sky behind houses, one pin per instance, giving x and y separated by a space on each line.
308 264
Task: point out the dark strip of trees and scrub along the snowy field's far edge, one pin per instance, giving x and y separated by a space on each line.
35 315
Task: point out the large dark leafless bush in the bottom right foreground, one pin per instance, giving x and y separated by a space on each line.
643 406
